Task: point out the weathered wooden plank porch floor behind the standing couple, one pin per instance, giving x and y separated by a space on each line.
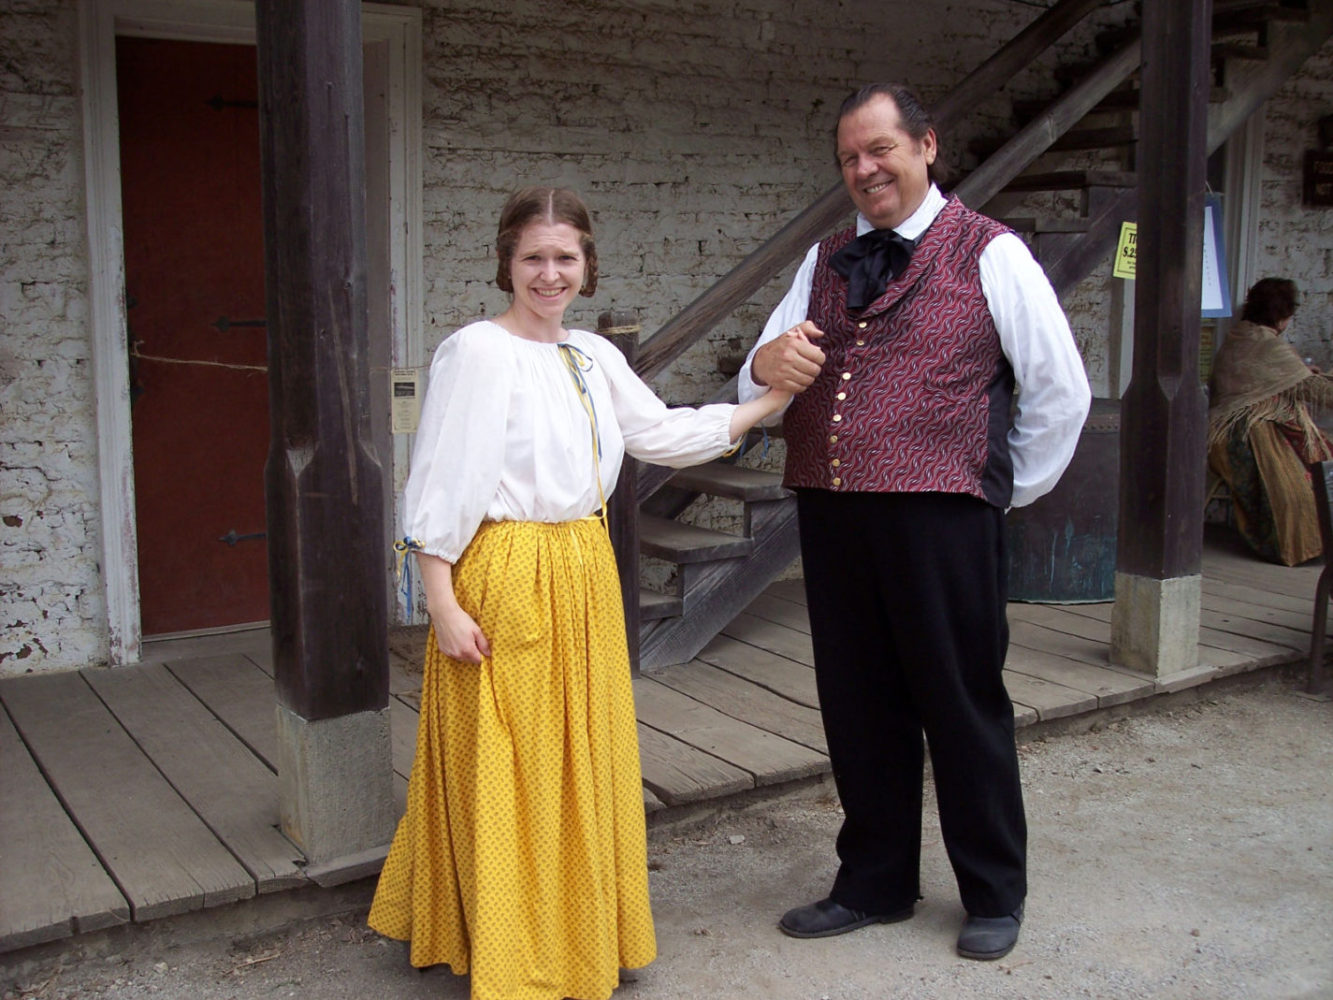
147 791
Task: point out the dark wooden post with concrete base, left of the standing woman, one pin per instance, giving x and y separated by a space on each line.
323 481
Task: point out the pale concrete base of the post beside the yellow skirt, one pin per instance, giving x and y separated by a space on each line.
337 781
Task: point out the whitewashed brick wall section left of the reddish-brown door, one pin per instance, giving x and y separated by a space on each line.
51 597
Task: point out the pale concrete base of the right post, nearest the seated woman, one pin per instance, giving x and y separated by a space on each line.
1155 625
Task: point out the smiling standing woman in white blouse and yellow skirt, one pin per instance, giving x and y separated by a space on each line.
522 857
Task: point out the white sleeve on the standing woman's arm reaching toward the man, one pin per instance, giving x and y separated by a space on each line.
675 437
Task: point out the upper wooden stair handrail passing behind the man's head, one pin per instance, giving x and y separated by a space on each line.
794 239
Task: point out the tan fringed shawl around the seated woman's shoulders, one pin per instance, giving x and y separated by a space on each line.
1259 377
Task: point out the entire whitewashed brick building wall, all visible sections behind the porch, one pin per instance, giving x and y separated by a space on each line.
694 130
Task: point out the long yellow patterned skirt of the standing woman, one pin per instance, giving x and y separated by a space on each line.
522 858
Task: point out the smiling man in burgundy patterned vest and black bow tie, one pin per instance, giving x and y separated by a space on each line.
938 385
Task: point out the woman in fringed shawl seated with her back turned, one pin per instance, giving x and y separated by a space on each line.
1262 435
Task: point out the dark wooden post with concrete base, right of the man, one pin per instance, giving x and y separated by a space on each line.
1155 625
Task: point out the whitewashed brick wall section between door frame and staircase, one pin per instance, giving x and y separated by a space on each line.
692 130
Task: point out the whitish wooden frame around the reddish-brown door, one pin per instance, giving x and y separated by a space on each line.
221 22
